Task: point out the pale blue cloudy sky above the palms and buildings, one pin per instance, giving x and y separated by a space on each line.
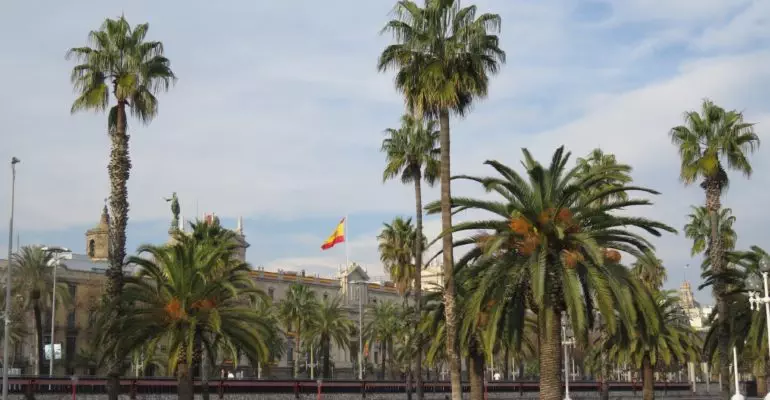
278 113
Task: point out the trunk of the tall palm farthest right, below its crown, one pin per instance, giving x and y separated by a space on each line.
713 192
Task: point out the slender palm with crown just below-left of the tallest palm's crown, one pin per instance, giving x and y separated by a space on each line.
412 153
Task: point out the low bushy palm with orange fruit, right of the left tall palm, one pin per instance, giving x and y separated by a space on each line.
182 295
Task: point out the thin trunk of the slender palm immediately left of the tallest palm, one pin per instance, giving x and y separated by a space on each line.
418 283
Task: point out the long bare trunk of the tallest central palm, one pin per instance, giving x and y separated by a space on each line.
453 352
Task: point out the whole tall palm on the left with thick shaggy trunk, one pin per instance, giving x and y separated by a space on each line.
135 70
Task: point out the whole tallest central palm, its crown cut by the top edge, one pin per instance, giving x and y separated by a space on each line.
444 54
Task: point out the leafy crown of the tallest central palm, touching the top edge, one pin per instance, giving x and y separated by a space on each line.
443 54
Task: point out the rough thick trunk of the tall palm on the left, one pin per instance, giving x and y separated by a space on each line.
119 168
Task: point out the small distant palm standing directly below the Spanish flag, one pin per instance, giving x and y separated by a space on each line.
329 324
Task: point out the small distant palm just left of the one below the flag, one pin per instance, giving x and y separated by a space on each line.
296 312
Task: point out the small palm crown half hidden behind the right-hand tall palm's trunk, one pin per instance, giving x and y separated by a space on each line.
699 229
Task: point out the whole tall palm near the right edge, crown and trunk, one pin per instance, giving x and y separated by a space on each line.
707 141
